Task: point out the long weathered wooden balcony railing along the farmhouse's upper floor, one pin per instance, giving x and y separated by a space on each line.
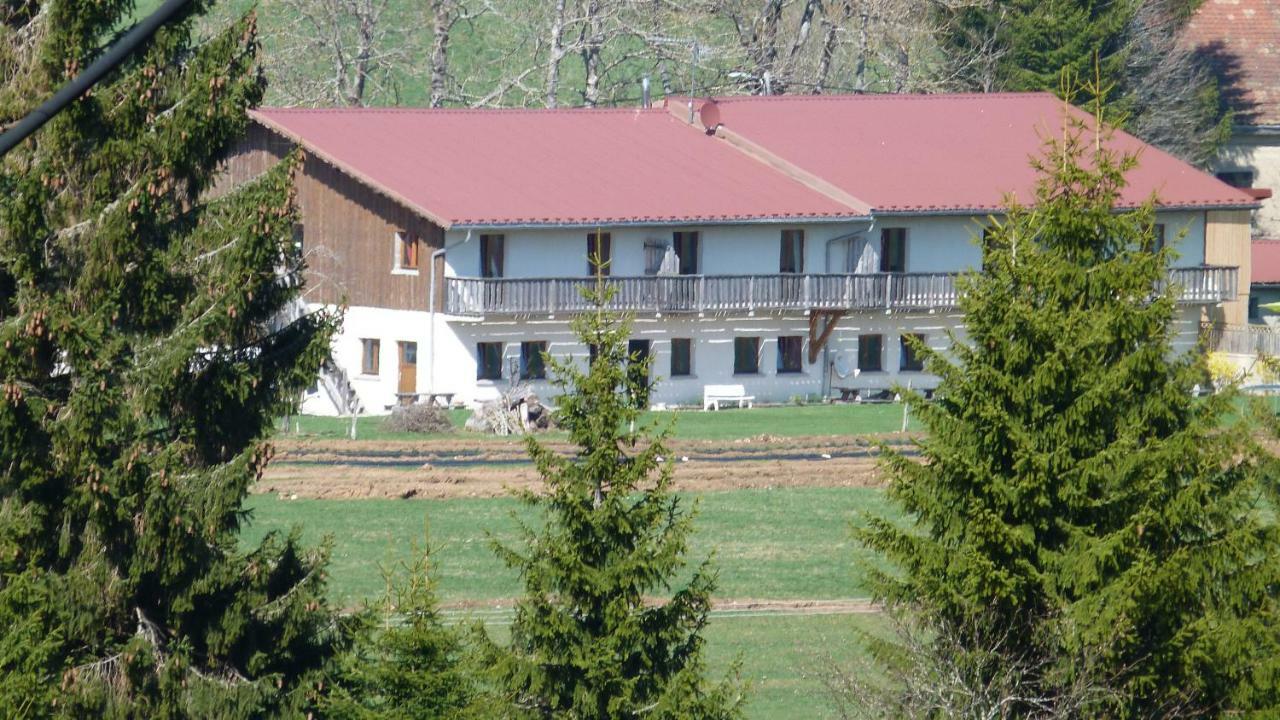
749 294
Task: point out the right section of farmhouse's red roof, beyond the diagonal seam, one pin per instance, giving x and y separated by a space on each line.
944 153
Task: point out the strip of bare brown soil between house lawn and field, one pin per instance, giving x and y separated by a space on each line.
456 468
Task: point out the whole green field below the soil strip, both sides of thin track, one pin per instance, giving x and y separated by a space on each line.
769 544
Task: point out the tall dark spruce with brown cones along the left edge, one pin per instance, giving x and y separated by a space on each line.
144 359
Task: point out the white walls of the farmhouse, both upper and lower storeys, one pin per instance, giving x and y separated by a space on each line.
934 245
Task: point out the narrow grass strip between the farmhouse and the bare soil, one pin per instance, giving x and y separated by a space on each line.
789 421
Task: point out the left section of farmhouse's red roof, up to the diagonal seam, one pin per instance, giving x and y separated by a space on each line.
552 167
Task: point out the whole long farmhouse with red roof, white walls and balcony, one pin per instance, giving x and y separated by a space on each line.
804 238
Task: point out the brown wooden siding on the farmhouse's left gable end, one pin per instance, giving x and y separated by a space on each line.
349 230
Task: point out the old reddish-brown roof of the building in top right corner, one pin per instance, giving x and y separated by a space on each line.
1242 40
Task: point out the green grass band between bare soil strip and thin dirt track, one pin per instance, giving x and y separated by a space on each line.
767 544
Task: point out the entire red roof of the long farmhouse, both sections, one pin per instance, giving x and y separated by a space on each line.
778 160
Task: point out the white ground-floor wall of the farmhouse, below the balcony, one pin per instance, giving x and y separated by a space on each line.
455 362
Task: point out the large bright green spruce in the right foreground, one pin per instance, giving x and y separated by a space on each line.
1073 498
